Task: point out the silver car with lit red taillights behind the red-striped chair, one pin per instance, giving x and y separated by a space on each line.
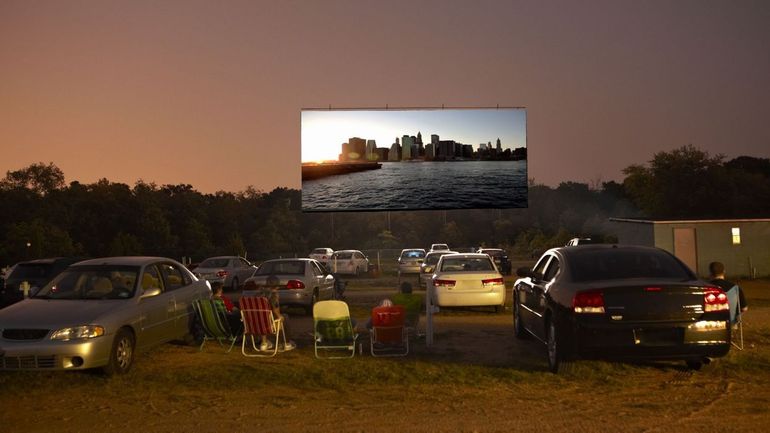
304 281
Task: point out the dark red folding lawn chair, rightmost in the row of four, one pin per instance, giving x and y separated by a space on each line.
389 336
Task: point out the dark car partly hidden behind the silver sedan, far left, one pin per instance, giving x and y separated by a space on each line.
37 273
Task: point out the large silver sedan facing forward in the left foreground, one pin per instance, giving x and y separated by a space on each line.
100 313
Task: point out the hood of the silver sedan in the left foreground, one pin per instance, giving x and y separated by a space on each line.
52 313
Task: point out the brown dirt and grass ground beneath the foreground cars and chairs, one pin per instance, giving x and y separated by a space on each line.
663 397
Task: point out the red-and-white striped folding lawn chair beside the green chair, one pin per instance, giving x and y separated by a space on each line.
258 320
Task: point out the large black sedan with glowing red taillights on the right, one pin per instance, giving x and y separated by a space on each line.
620 301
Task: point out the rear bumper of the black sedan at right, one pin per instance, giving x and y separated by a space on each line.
685 340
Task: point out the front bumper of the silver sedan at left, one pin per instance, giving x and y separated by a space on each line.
55 355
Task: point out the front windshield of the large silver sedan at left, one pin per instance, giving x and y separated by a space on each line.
85 282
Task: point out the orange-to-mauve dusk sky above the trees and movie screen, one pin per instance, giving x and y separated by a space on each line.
211 93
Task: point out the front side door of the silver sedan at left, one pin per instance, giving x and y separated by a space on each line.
157 317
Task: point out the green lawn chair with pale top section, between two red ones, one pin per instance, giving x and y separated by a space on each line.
333 330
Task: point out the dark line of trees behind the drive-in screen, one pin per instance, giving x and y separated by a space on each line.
45 217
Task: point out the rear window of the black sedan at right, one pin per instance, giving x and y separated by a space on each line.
611 264
